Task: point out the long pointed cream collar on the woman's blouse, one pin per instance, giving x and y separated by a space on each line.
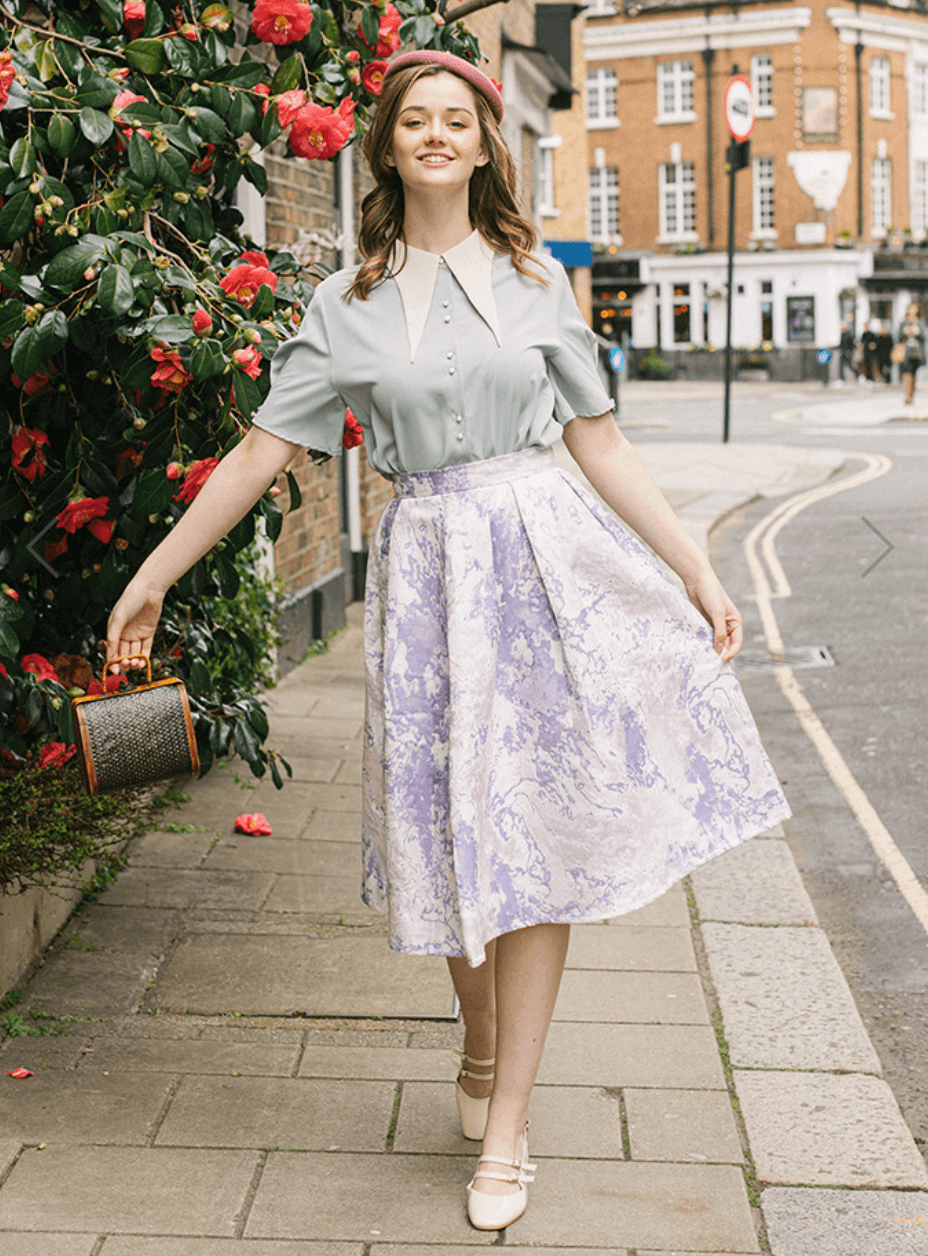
472 266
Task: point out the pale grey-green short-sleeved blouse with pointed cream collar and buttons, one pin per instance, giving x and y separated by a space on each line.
456 360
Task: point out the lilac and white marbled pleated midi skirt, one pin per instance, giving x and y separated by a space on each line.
551 735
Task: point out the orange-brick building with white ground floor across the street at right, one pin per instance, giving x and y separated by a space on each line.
832 209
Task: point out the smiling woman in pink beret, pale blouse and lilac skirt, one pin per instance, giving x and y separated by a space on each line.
551 737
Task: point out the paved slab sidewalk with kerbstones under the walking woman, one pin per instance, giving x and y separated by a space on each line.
249 1069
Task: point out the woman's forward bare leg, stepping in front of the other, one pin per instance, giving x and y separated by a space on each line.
529 966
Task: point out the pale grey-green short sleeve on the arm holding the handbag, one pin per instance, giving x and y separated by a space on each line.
303 405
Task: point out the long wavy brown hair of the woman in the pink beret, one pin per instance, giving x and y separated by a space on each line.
493 207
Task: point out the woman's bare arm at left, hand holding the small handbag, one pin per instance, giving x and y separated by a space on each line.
233 489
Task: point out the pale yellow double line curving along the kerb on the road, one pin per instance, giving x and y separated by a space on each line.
877 833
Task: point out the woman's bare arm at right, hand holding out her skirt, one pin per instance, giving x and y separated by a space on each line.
617 473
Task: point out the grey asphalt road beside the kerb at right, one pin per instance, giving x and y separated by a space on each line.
873 703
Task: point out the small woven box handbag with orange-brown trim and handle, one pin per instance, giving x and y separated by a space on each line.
136 737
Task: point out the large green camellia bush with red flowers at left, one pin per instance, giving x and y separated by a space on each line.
138 325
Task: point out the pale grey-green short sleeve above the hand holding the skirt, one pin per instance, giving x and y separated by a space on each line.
573 366
